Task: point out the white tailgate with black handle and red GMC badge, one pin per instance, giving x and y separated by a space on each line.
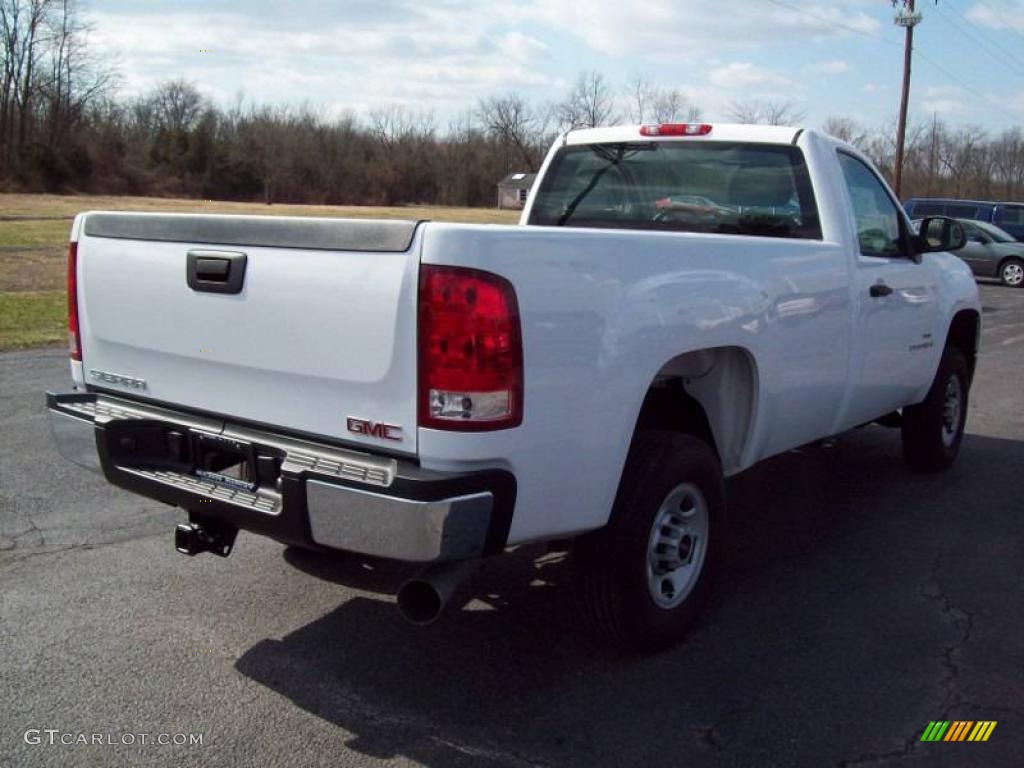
322 330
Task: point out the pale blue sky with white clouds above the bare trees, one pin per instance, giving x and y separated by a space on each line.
841 59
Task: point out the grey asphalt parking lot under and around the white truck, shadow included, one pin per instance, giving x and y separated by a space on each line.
860 603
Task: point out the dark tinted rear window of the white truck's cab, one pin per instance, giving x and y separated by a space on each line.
720 188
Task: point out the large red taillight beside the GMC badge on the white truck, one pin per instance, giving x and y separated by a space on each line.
471 351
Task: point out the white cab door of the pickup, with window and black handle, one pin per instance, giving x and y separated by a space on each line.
895 334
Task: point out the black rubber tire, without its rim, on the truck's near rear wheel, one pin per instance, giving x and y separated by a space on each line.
611 566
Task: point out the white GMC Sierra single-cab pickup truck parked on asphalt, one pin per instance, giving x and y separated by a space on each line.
679 303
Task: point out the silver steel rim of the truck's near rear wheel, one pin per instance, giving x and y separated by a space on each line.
677 546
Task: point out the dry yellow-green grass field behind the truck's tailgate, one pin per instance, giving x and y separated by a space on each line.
34 239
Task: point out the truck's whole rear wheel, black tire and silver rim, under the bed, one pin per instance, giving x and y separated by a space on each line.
645 577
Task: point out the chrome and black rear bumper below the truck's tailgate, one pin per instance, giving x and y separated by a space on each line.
305 493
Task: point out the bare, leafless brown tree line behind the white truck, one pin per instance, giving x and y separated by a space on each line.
64 127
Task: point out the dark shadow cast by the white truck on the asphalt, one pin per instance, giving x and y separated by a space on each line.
843 600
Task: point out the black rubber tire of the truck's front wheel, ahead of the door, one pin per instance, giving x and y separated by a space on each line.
926 433
